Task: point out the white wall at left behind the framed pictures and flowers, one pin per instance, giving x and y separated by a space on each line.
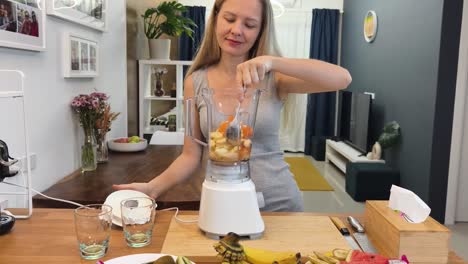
54 134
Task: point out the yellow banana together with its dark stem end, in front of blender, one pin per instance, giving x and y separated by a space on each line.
231 251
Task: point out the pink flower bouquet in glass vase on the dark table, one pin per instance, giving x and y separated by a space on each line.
95 117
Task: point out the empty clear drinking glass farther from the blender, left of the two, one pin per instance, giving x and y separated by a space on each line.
93 224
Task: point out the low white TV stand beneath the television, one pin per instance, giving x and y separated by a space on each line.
340 153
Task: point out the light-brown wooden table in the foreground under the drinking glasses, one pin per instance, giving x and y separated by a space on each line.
49 237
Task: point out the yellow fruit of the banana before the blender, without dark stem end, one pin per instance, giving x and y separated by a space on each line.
261 256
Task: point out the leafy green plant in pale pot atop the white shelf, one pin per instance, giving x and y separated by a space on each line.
165 19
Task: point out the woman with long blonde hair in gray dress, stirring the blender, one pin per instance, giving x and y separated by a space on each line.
239 48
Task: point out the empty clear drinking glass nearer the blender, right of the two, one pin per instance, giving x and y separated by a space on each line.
138 216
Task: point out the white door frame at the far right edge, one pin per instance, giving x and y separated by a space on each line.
458 122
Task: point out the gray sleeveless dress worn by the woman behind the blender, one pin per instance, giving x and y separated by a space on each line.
268 170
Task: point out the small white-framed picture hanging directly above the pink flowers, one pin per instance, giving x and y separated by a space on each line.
81 57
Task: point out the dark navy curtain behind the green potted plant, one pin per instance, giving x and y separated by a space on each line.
187 46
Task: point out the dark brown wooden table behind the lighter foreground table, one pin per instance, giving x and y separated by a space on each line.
125 167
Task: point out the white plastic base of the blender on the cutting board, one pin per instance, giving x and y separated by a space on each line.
227 207
